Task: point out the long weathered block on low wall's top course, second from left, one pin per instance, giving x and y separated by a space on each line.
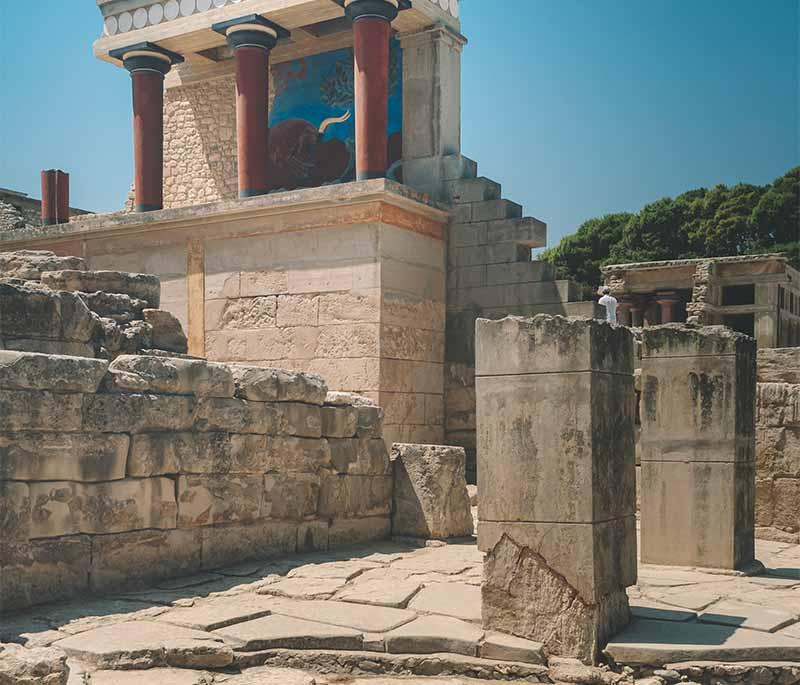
170 375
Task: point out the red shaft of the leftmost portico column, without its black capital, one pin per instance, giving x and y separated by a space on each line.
148 139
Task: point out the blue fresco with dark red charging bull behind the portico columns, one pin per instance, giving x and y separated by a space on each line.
312 120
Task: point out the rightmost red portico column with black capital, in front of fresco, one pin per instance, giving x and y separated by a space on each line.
372 29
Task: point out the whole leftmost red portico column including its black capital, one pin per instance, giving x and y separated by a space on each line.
148 64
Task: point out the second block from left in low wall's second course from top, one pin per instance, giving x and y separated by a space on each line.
138 413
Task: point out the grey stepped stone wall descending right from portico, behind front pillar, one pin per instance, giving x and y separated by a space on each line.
491 274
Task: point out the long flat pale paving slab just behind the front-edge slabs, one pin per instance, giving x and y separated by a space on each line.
370 619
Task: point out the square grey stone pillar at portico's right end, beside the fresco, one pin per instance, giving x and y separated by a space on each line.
432 109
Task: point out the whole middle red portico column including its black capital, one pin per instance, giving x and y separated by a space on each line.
251 38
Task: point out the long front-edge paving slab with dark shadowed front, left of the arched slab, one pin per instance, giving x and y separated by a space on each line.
285 632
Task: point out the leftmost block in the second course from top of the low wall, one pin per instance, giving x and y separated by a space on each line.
33 410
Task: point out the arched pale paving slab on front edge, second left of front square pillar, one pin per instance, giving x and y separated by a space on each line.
432 634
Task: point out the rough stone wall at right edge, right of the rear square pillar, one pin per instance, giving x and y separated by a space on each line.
778 445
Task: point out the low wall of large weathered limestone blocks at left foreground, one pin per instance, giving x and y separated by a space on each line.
119 474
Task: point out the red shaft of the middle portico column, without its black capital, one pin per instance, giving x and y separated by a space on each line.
252 117
